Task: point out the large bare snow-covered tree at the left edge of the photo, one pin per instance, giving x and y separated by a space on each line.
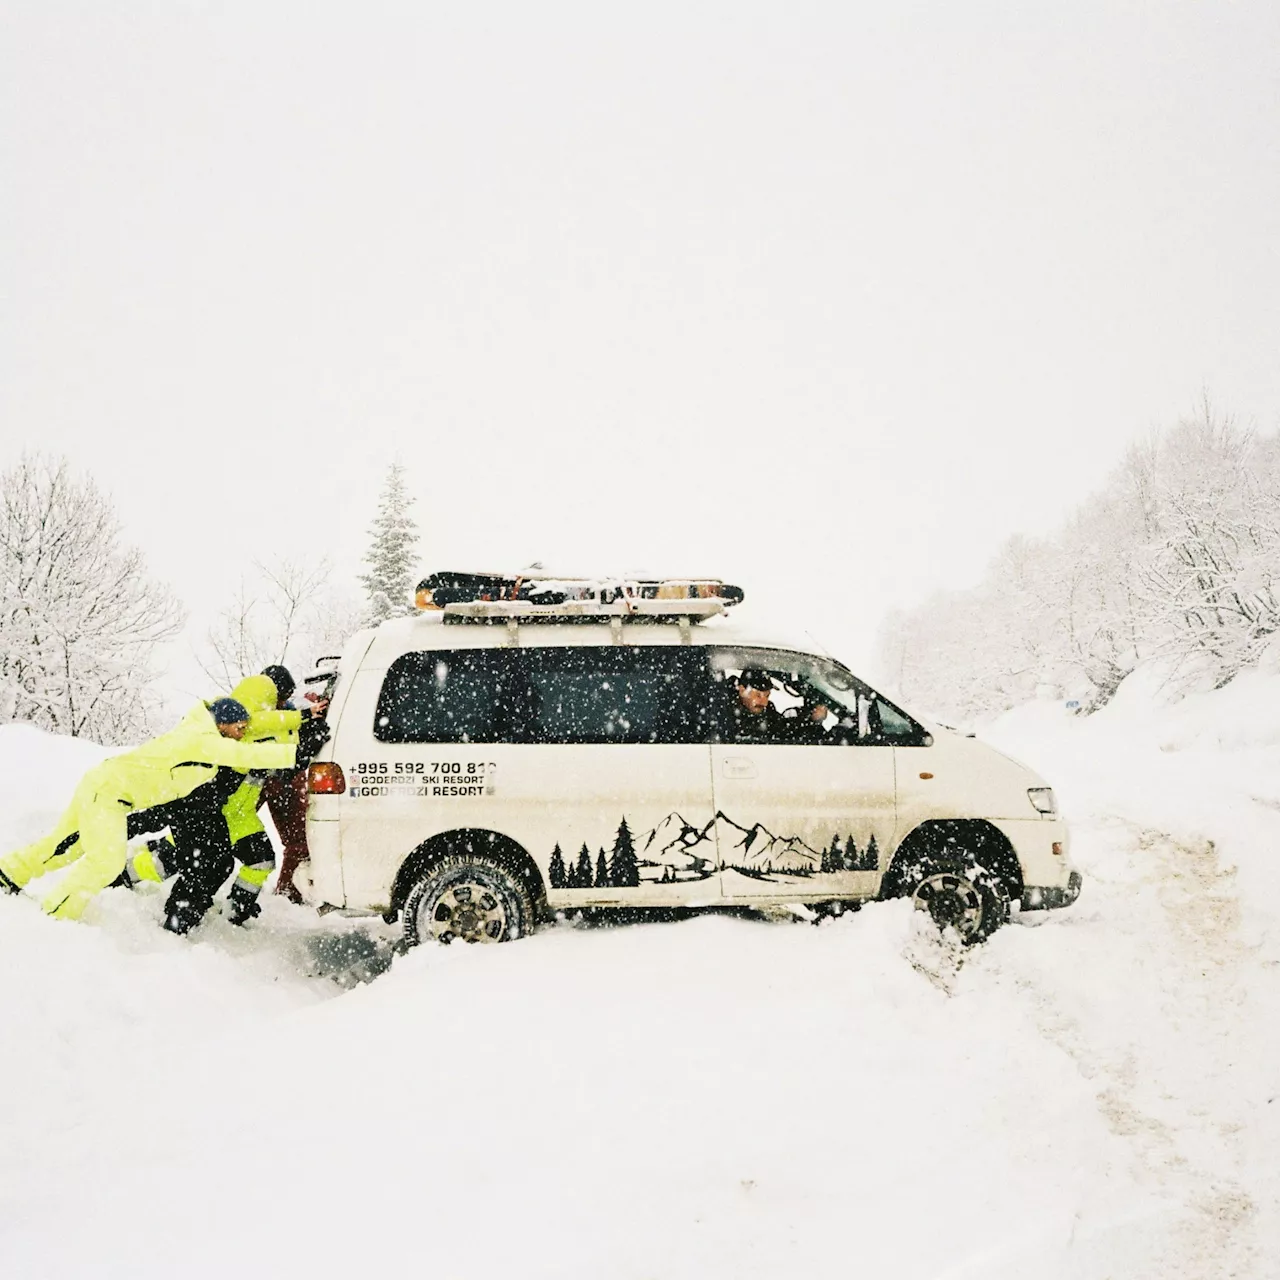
80 619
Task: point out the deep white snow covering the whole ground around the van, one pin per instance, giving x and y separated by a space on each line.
1092 1094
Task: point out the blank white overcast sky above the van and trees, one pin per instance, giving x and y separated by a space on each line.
806 295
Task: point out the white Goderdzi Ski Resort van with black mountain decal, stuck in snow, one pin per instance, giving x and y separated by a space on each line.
496 762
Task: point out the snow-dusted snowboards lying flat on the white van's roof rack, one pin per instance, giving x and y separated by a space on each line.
437 591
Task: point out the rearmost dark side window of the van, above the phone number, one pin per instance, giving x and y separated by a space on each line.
451 696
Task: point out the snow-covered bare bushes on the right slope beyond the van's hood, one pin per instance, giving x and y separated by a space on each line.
1177 557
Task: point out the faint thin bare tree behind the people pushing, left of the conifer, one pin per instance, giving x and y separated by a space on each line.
287 614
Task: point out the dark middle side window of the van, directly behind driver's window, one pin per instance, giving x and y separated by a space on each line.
610 694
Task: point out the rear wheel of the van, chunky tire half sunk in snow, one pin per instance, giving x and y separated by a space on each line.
469 899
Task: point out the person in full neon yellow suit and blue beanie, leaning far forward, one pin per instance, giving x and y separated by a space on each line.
94 831
